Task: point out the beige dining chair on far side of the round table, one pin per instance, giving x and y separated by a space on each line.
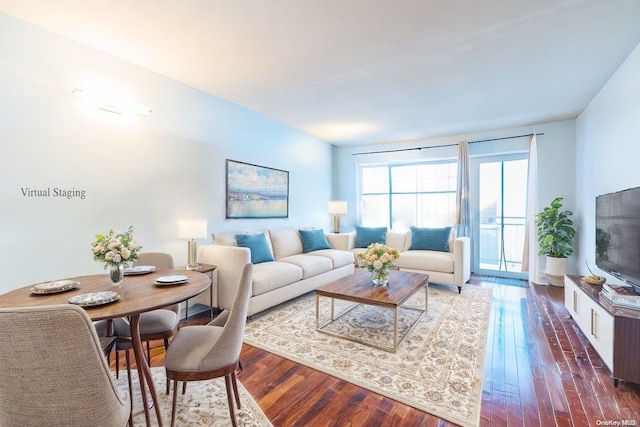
154 325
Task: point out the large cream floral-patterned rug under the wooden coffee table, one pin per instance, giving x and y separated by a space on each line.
436 369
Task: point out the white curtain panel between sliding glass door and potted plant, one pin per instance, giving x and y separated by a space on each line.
530 260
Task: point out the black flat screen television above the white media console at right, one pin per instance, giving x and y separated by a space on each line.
618 235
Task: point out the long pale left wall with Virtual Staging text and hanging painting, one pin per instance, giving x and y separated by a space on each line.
148 172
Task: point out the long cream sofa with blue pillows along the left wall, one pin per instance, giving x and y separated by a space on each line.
294 270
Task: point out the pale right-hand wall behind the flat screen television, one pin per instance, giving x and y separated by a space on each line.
608 149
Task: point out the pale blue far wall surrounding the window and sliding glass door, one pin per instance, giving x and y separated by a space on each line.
556 162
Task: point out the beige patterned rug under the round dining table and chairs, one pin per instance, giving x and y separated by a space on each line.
204 403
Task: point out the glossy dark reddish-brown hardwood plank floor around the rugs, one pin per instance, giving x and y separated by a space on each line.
539 370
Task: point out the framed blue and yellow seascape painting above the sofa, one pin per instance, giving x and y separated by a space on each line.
256 191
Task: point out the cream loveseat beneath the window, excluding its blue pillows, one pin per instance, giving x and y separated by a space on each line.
450 267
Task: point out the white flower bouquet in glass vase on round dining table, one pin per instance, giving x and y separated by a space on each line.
115 250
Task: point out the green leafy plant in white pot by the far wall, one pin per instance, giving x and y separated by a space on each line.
555 237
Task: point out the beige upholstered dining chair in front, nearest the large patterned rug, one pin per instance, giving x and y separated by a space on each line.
206 352
